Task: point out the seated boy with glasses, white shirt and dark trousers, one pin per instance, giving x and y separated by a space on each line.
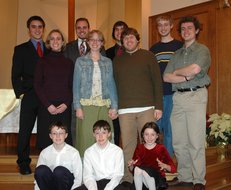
59 165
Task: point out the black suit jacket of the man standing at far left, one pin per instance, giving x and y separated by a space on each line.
22 74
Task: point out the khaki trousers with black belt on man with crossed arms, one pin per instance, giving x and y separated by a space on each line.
188 121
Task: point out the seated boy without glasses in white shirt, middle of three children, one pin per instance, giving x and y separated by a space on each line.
103 162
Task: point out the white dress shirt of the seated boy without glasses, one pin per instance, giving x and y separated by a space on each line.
106 163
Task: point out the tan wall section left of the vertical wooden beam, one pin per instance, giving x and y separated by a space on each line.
49 10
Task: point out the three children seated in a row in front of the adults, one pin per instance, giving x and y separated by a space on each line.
60 166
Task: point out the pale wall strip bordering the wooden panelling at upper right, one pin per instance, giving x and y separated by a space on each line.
154 7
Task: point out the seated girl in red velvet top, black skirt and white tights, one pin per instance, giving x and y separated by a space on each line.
151 160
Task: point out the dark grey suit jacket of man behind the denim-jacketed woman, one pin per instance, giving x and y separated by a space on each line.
72 50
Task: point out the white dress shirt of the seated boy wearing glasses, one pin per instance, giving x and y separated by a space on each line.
68 157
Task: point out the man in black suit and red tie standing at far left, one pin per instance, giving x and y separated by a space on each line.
25 58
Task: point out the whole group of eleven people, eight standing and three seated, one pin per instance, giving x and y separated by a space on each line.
124 86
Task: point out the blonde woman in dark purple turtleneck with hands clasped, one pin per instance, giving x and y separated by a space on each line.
53 85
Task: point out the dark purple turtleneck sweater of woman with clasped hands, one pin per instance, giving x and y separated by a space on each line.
53 79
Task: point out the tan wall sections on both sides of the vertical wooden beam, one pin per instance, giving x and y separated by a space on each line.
54 13
